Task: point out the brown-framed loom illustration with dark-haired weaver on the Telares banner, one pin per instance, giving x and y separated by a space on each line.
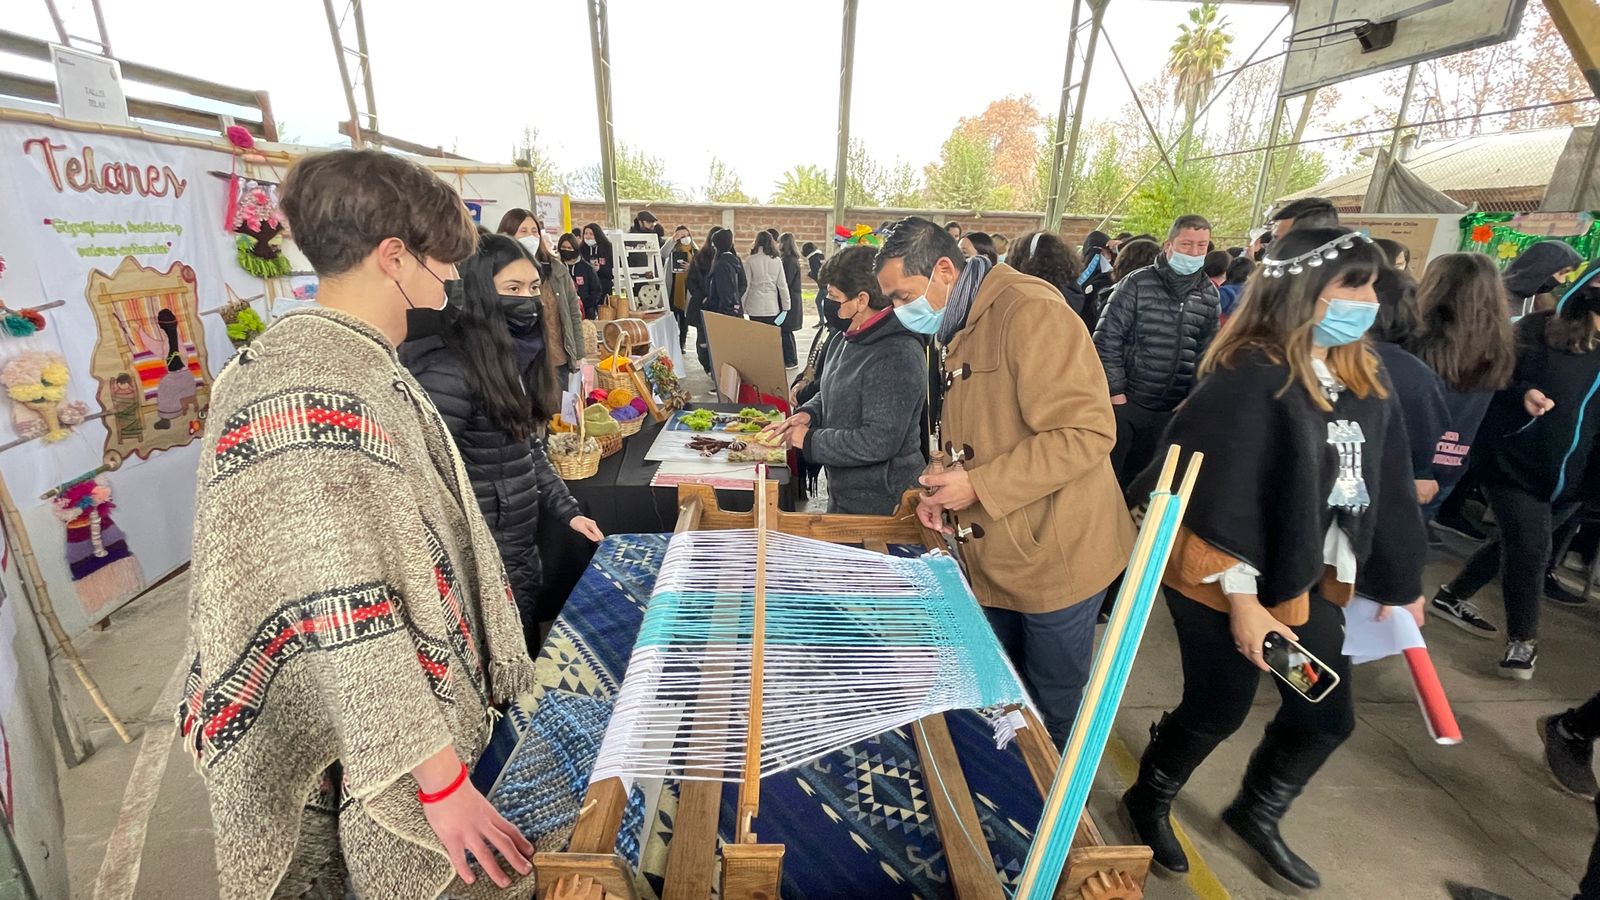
150 361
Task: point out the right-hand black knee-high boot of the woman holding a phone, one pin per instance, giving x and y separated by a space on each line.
1279 771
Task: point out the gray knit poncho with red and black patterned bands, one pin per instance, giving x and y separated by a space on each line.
348 619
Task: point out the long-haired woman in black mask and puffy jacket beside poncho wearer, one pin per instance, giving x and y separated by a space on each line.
489 374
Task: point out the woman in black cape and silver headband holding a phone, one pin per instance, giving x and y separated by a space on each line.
1303 500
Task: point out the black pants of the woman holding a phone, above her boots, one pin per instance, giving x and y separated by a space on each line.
1220 686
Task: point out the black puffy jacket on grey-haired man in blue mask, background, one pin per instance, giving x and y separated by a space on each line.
1153 334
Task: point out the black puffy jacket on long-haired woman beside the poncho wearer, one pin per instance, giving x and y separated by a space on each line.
516 486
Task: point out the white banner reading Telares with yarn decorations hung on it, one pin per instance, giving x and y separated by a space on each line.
129 238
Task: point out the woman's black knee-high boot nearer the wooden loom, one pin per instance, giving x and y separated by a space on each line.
1172 757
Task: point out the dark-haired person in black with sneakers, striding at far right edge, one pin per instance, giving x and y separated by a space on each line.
1532 460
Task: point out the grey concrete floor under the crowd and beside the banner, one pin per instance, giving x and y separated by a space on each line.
1393 816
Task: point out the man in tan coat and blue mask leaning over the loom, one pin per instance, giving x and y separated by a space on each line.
1034 504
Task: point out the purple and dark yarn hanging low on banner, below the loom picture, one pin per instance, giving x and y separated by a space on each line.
103 568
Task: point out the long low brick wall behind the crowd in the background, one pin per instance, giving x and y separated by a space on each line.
815 223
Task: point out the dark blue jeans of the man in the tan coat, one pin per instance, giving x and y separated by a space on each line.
1052 651
